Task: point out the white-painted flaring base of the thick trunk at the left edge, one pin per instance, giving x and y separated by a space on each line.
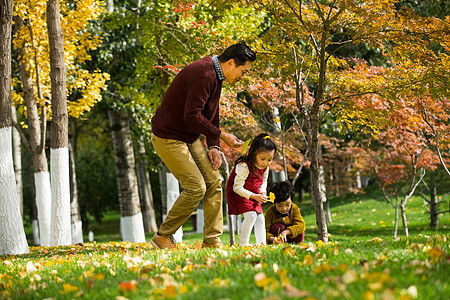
12 235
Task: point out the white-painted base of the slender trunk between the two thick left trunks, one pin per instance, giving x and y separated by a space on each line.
44 206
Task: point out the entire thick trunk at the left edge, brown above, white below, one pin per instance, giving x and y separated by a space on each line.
12 235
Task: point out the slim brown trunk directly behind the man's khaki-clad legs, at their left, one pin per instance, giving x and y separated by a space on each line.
145 191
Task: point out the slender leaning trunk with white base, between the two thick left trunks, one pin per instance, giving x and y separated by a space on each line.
36 142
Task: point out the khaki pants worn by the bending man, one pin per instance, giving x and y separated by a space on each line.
190 165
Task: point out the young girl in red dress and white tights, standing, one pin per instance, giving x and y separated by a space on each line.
246 187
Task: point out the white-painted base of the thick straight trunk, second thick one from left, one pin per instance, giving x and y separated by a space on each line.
60 186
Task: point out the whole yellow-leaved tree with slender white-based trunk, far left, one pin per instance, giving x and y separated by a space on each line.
32 92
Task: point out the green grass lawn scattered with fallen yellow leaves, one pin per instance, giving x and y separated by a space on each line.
361 261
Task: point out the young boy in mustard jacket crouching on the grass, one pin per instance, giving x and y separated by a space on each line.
284 223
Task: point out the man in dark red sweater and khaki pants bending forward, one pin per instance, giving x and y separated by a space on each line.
190 108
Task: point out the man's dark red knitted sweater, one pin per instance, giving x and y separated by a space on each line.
190 106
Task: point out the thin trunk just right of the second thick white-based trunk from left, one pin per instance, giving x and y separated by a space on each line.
75 216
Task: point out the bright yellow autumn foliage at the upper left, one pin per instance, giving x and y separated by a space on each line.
32 41
